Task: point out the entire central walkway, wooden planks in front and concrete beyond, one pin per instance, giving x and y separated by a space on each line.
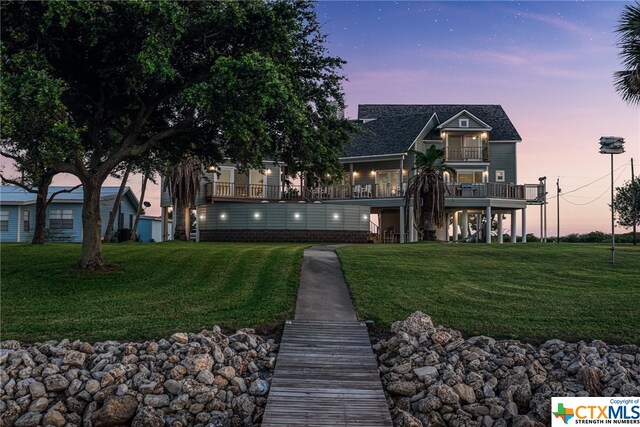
326 373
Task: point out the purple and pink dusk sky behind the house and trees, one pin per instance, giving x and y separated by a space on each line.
549 64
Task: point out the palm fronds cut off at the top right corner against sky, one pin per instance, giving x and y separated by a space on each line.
627 82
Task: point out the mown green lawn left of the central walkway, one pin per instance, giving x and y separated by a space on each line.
160 288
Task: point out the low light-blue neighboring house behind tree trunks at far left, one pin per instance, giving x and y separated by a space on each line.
64 214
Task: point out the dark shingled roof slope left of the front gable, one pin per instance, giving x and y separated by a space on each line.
386 135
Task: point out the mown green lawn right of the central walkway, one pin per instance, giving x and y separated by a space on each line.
532 292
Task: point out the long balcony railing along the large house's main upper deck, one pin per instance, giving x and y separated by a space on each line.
532 193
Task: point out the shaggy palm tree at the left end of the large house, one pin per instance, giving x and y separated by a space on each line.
183 181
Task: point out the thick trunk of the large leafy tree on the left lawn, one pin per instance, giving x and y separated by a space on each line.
91 253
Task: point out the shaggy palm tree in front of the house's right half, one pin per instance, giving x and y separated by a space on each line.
426 191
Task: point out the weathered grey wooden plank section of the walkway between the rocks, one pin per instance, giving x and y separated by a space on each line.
326 375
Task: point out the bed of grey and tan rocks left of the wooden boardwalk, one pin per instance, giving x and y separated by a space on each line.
190 379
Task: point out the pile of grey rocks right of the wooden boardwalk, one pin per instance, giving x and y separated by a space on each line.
433 376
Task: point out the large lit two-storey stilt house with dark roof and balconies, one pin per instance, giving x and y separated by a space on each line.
480 144
